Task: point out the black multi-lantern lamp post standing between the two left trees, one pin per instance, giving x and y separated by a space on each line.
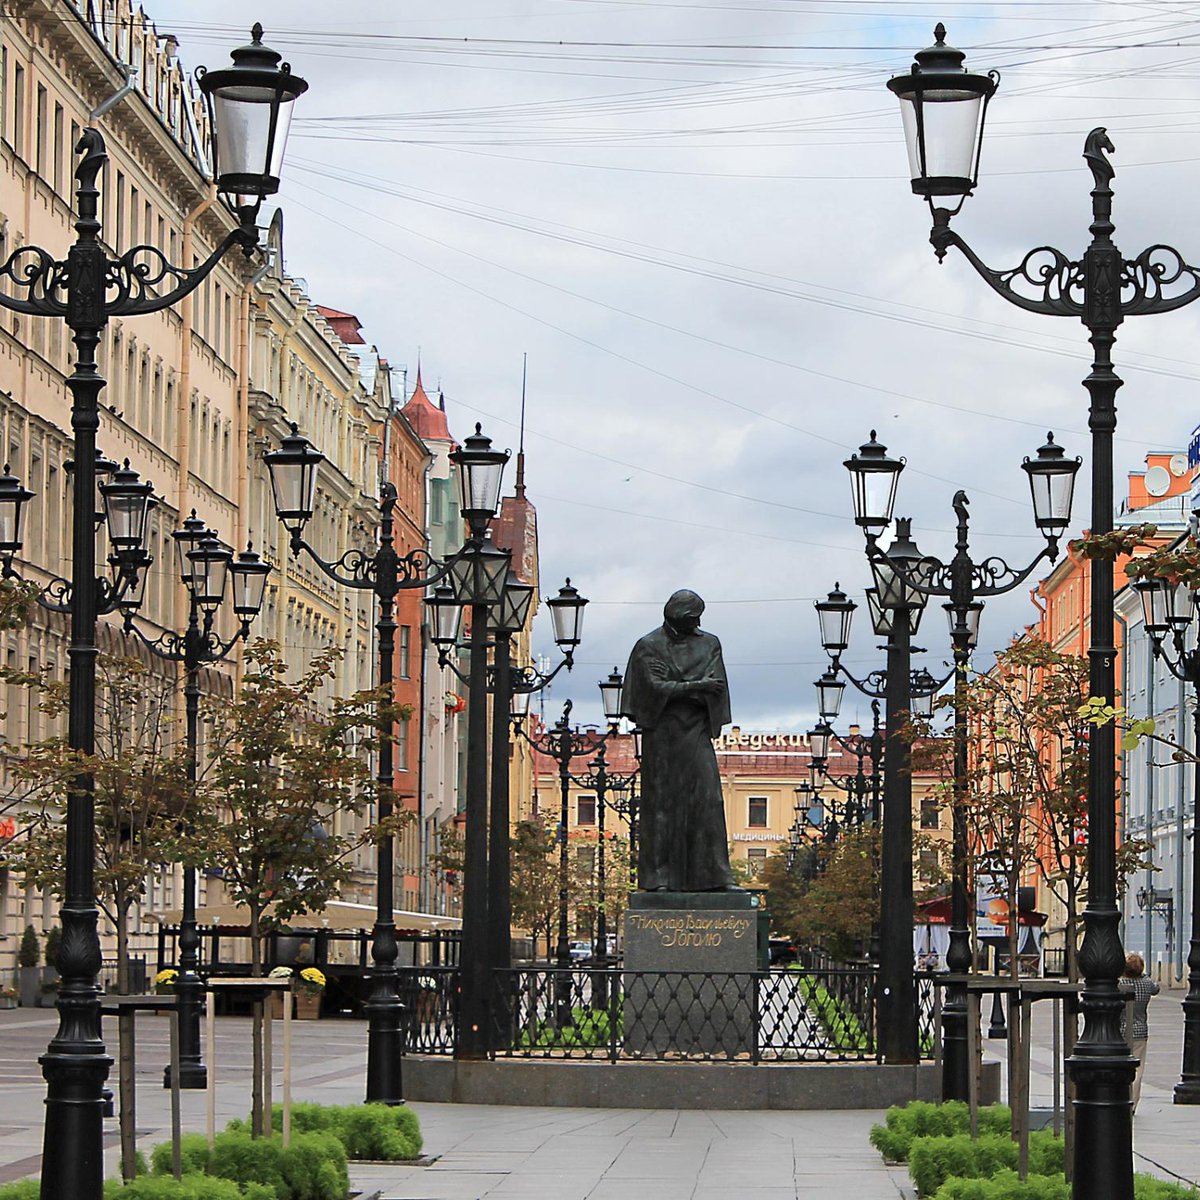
205 568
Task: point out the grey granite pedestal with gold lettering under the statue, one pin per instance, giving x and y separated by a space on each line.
691 980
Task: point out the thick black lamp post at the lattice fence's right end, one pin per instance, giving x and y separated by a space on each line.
896 616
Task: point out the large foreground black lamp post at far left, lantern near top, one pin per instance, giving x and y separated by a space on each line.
86 291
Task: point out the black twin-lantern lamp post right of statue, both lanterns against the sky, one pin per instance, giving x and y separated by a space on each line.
965 584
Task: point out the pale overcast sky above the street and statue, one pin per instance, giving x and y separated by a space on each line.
695 218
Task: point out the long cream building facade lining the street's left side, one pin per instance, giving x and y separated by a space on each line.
195 394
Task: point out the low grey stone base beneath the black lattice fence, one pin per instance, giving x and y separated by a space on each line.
664 1085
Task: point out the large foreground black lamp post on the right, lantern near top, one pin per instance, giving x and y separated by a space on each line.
945 109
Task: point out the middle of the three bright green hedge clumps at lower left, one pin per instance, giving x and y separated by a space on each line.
313 1168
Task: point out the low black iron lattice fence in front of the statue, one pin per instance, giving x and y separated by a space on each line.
613 1015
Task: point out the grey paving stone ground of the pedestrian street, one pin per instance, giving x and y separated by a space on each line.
538 1154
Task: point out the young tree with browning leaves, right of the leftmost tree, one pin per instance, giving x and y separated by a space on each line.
281 776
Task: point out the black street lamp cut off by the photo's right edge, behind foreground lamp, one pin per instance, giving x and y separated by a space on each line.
1169 610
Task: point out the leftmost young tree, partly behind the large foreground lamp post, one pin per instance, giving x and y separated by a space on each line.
142 794
